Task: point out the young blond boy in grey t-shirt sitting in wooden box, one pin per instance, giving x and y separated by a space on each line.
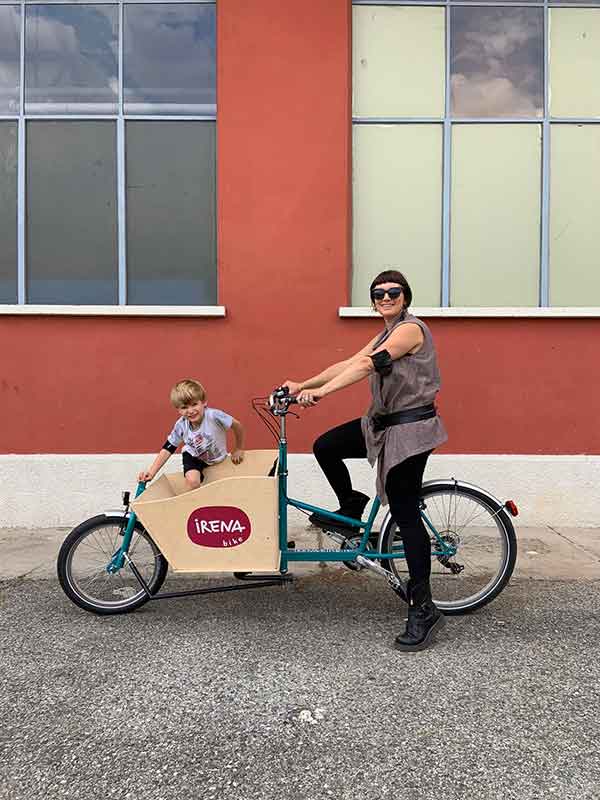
203 431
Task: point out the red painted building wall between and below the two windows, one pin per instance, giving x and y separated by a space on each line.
101 384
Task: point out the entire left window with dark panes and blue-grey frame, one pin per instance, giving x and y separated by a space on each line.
107 153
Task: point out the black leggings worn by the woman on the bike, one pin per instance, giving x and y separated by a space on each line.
402 486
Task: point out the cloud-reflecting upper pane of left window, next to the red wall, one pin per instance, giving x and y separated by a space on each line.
169 59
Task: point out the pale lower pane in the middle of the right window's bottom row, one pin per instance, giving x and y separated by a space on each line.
495 215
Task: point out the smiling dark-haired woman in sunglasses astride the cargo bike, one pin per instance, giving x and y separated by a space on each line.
399 431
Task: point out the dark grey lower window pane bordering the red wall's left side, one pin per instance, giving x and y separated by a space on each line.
171 229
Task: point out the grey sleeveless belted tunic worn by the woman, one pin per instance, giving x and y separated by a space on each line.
414 381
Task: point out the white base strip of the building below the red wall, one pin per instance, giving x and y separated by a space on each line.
62 490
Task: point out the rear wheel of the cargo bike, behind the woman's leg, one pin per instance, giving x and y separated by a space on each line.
473 546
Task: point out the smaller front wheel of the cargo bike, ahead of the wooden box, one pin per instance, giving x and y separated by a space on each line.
86 554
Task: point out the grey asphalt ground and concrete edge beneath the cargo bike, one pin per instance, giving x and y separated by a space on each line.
297 692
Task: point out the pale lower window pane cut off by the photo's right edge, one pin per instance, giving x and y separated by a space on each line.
574 216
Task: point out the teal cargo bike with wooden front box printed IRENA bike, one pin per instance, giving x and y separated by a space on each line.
236 522
